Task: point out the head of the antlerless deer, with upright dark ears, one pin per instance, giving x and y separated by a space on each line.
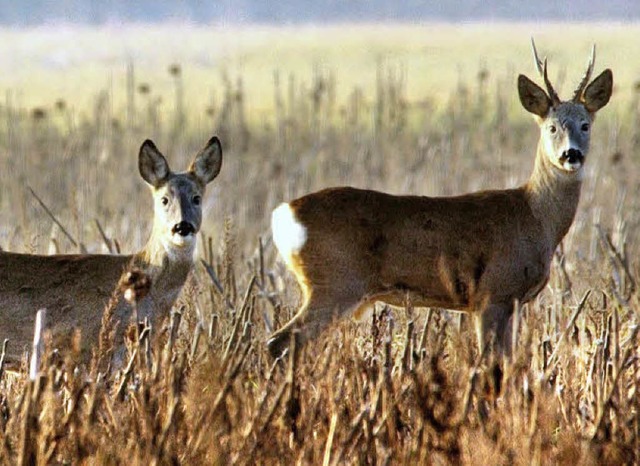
178 196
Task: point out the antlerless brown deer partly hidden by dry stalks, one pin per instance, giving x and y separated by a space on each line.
75 288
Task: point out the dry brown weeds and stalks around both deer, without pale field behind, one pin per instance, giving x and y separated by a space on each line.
403 387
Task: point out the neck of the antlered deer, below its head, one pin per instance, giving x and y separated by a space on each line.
553 195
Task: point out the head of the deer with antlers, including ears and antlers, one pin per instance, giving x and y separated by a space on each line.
565 126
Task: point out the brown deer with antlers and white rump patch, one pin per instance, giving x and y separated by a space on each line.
477 252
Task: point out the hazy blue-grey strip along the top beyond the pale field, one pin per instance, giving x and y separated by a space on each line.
31 12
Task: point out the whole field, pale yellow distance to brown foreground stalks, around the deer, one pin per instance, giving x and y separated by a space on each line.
429 109
